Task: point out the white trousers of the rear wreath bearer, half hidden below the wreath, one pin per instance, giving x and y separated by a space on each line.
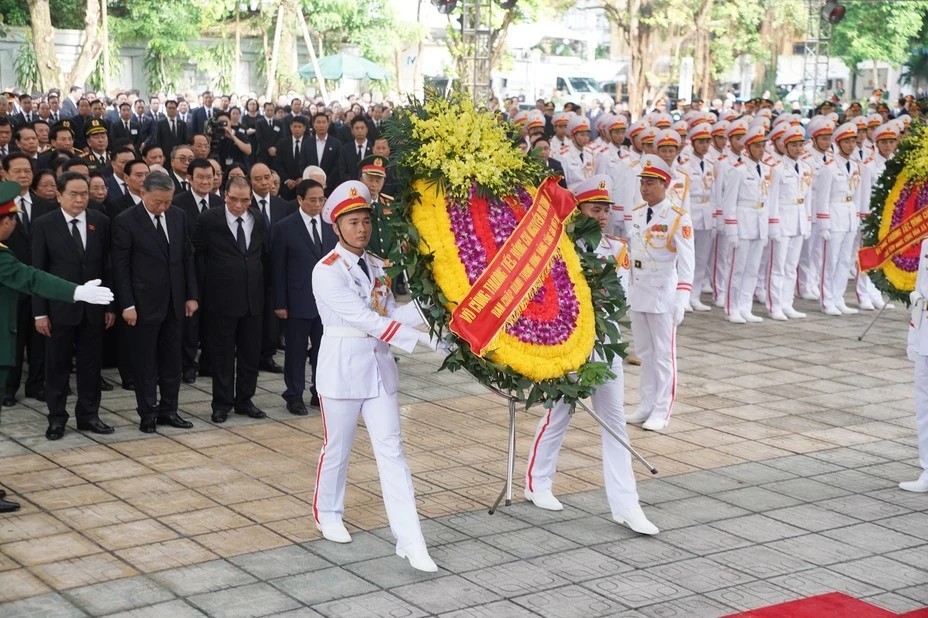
609 403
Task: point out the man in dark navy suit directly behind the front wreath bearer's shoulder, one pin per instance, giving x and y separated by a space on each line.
299 241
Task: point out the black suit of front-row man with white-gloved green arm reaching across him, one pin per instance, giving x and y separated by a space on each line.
73 325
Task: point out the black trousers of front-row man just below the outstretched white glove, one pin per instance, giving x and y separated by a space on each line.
85 341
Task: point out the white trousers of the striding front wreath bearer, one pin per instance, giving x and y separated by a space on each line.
382 419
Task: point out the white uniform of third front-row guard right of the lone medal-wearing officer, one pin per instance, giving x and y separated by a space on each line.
792 192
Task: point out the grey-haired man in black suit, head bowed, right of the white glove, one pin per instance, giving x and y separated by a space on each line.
156 287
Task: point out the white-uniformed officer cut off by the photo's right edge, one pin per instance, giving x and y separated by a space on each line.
918 353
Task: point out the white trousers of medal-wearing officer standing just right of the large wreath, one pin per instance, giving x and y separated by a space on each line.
655 345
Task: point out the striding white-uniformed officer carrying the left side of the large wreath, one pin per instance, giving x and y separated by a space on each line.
358 376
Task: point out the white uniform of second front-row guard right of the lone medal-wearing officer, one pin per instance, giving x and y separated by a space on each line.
746 213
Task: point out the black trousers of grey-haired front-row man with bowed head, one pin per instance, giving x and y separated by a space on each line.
156 365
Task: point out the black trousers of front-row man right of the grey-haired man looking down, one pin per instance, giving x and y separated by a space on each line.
235 350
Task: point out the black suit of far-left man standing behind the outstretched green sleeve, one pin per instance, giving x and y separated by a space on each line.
29 343
